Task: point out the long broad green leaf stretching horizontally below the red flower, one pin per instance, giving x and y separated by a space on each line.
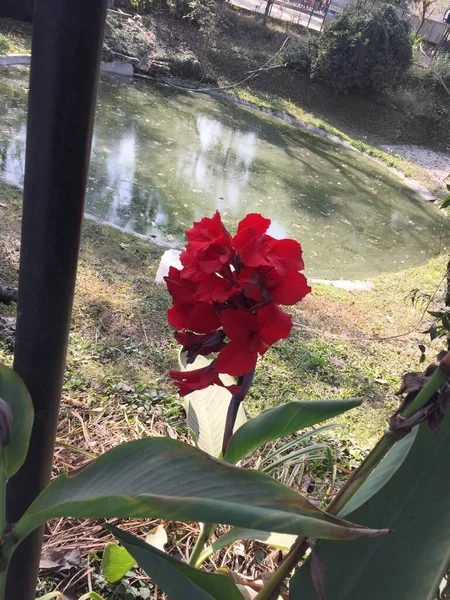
165 478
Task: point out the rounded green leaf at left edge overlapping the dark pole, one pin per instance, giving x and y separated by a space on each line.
14 393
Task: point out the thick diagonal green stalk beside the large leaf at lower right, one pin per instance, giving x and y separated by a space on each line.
439 377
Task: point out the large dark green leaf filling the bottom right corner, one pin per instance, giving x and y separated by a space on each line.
409 563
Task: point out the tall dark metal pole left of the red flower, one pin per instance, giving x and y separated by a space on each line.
66 53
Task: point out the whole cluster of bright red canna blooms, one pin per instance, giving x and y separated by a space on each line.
226 297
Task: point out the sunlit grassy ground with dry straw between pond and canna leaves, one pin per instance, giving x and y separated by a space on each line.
117 387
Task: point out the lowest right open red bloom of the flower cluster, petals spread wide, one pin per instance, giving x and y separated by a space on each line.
250 335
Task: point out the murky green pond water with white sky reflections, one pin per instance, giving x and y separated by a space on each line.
162 159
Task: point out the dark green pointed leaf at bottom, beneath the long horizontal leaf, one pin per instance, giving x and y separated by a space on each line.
177 579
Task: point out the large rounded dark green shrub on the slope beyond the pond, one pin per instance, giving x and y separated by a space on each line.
364 50
